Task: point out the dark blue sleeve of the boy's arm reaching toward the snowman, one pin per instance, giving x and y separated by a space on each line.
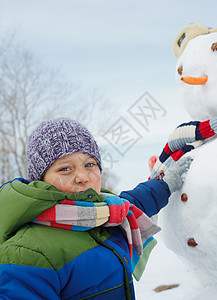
149 196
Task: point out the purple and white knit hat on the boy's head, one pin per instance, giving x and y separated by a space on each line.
54 139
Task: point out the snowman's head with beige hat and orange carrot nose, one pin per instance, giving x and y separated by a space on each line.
195 47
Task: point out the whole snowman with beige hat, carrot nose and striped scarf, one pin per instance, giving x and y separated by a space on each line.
189 221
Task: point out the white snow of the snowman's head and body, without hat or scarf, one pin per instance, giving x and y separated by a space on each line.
197 217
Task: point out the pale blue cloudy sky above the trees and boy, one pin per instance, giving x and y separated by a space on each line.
121 47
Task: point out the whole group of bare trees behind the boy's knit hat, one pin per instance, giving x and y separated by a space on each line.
29 93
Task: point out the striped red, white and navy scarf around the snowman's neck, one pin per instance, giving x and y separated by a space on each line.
185 137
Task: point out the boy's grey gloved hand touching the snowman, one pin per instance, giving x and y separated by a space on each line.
175 174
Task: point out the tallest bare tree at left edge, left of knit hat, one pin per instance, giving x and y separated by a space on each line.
28 94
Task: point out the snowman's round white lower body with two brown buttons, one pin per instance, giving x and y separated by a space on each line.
197 217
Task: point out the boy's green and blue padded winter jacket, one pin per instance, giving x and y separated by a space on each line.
40 262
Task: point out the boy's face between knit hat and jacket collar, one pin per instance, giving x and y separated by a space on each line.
74 173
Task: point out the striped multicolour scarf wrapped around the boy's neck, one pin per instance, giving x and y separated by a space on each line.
113 211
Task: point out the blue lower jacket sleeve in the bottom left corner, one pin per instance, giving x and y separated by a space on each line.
27 283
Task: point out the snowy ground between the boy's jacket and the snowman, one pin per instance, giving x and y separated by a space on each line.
164 268
